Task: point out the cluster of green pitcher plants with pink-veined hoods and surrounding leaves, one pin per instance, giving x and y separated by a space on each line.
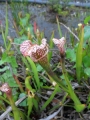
32 54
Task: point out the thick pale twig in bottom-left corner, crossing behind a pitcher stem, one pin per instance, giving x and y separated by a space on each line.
9 109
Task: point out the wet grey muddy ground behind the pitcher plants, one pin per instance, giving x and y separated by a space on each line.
46 19
